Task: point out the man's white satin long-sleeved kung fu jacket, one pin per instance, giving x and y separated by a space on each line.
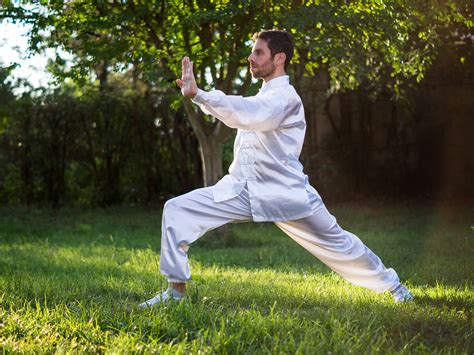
270 134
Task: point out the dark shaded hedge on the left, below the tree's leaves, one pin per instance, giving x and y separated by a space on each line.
94 147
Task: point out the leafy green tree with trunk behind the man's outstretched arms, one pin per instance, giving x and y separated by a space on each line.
375 45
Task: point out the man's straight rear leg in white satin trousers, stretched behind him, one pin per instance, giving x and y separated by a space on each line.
342 251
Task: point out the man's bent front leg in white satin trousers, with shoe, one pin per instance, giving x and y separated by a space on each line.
185 219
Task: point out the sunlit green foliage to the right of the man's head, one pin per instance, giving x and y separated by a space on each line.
375 45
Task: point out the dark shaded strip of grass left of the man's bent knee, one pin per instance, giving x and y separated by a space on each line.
123 227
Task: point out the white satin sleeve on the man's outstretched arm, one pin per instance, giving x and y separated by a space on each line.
254 113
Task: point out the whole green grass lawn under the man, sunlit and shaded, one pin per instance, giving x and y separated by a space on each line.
67 280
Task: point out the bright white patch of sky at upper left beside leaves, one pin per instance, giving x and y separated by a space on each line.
13 48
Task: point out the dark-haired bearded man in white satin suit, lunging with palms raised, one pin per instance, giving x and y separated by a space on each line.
265 181
